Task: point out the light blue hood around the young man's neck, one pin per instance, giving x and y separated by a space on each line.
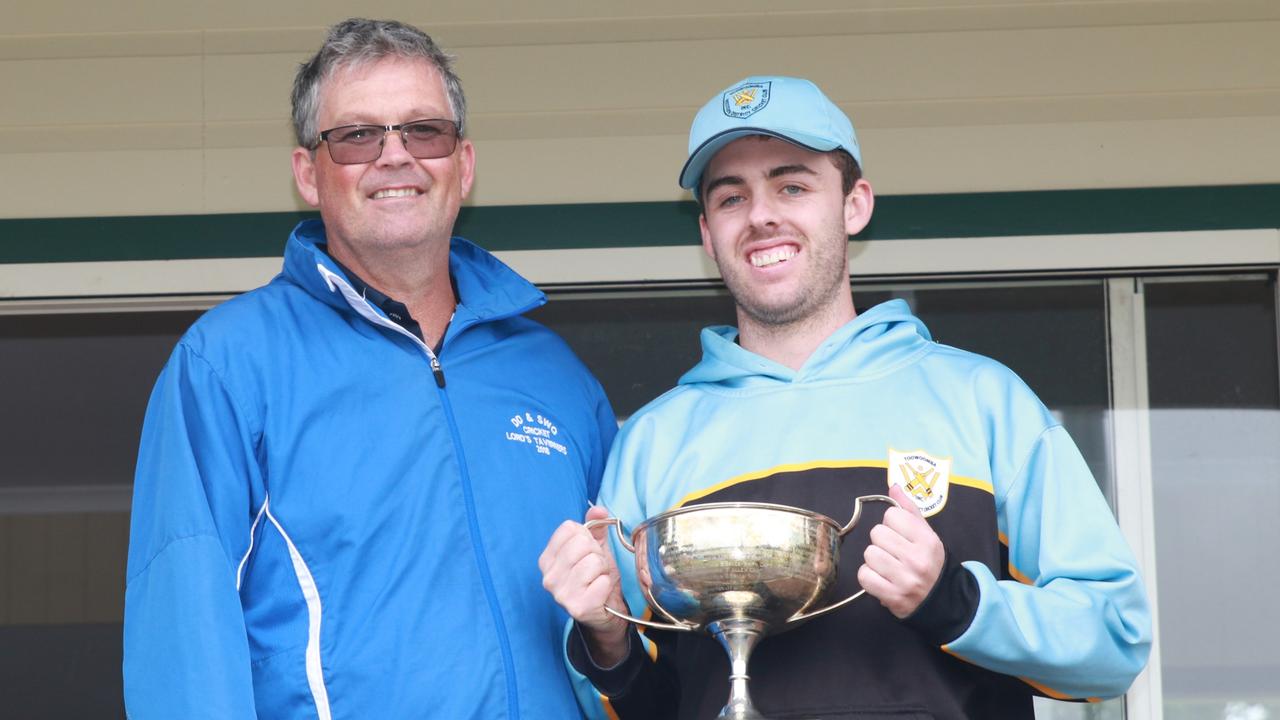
877 341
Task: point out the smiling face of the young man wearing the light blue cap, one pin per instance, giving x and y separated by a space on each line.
778 224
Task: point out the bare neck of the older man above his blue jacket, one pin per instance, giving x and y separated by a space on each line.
418 280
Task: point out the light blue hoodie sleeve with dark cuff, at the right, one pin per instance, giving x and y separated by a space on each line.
1075 621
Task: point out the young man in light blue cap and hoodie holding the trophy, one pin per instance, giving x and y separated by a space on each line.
1003 575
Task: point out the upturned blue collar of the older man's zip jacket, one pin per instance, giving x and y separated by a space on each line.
488 290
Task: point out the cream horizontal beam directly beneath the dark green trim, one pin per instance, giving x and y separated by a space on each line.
196 284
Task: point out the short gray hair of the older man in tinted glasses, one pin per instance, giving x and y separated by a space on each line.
358 42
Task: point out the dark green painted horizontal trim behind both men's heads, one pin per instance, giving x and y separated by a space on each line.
644 225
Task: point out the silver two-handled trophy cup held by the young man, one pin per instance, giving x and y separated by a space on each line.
738 571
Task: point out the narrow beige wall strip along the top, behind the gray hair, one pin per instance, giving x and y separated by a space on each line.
653 29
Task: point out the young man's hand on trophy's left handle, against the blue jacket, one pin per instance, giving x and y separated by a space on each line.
580 573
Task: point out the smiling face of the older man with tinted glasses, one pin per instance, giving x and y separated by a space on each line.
397 203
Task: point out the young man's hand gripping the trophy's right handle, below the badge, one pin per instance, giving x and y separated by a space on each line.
904 559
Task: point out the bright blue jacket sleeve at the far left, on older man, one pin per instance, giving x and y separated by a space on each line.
186 651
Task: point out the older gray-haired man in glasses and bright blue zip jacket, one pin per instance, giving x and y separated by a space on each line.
337 507
